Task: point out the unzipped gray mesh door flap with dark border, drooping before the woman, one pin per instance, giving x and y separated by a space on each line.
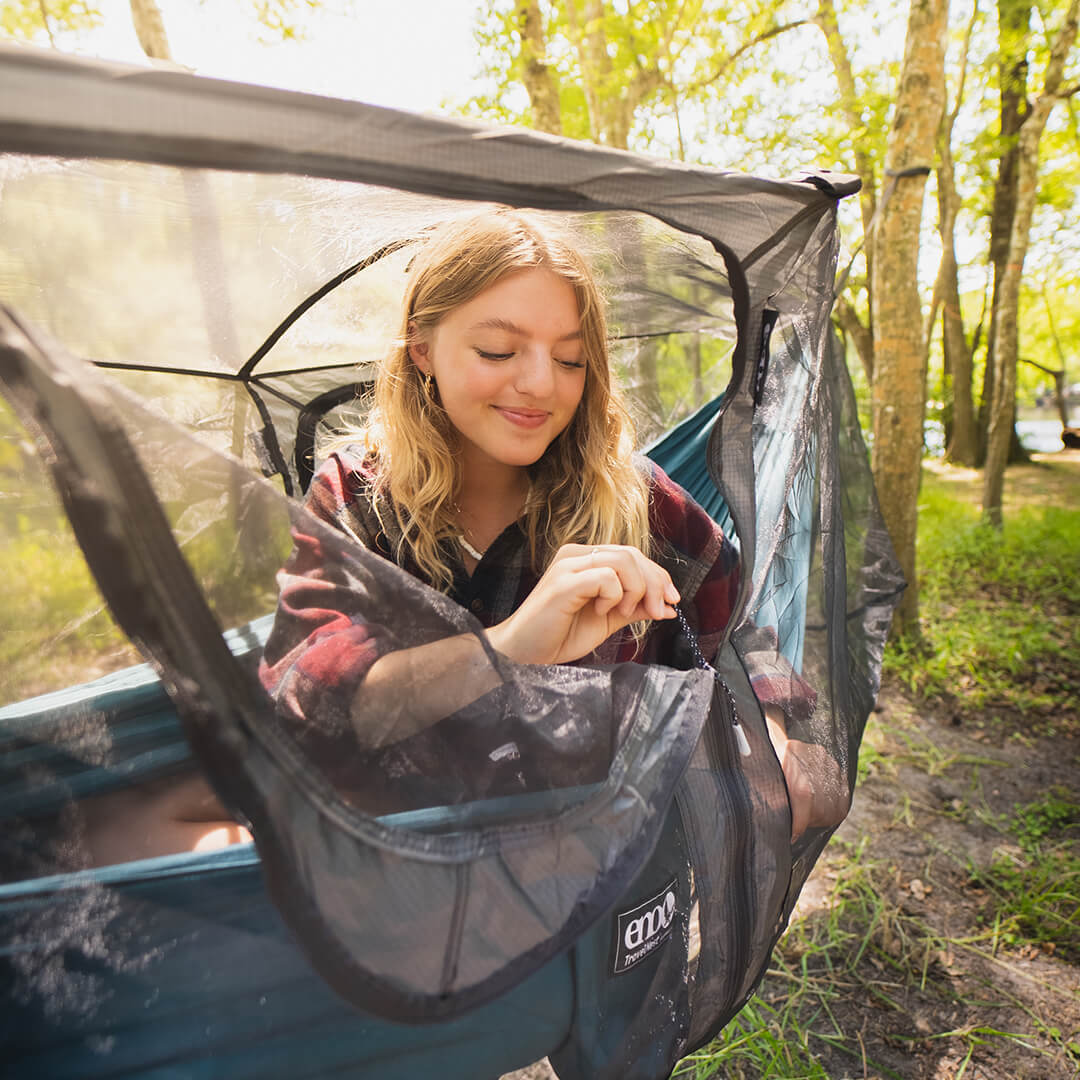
408 923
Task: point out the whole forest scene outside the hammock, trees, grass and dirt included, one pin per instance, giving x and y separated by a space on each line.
958 305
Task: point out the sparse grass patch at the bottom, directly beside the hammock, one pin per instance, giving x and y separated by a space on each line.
866 943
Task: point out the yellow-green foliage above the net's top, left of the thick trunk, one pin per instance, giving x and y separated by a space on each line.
659 84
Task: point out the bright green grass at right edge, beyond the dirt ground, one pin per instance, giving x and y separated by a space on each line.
1000 627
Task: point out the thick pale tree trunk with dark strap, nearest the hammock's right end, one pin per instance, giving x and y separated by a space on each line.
899 391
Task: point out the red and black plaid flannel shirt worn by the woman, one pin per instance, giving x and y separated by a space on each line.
322 646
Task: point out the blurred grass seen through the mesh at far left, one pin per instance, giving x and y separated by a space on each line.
56 630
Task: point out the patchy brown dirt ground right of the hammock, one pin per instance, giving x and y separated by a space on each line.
936 995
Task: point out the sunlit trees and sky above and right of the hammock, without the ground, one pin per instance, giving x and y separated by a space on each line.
958 118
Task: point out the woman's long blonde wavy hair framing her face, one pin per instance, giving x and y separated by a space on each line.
586 489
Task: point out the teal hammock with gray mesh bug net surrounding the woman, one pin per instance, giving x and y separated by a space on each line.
589 862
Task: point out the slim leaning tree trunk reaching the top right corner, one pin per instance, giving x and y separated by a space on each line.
1005 326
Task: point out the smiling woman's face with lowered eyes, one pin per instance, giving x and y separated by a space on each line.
510 368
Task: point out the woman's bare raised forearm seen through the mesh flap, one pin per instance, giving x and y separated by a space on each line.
409 691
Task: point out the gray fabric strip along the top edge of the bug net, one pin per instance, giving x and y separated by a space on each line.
75 107
